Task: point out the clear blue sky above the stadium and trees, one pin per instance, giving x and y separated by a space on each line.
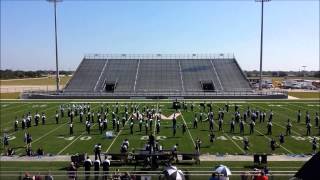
291 31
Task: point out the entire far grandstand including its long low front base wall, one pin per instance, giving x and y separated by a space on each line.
158 76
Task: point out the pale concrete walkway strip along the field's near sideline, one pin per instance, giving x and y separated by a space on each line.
204 157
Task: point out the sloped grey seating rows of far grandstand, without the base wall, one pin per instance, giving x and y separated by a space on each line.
158 74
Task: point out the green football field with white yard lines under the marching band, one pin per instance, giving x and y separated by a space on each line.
55 139
